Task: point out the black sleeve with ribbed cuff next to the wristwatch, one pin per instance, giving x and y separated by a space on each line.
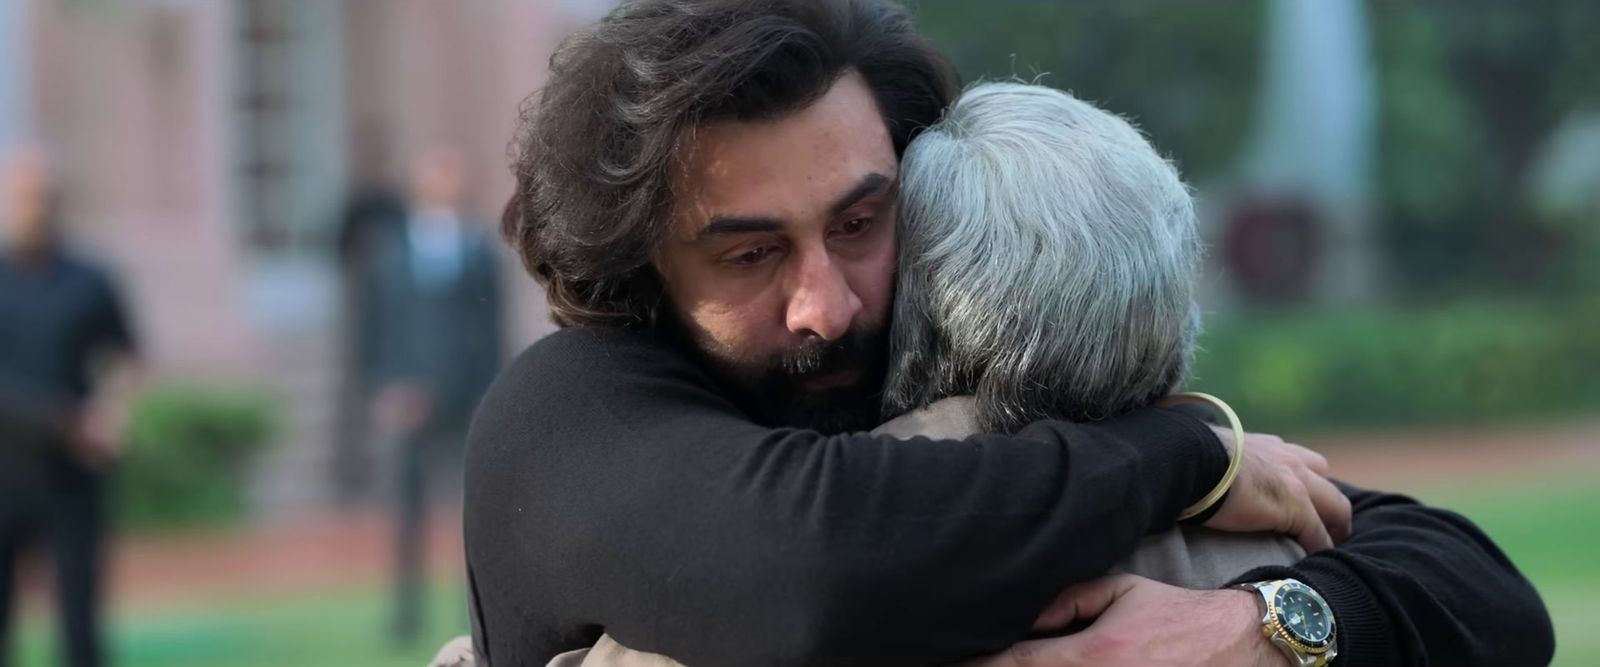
1422 586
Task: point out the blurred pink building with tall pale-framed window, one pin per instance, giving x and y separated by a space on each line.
209 146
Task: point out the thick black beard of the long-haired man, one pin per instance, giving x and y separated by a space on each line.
778 388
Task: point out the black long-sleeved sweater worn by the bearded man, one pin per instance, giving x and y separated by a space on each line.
612 487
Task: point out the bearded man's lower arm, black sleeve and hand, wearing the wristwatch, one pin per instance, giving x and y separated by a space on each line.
1415 586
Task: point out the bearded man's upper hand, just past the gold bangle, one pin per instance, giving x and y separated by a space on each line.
1284 489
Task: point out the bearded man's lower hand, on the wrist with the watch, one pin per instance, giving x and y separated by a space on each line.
1142 623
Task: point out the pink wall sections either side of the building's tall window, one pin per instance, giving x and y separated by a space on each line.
140 102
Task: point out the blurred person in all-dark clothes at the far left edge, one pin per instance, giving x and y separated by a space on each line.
66 375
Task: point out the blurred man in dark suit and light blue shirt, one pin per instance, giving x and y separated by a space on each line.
431 294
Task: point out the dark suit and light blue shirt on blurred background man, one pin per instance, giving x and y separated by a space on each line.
438 322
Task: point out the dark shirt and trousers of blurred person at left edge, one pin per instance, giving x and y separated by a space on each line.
55 318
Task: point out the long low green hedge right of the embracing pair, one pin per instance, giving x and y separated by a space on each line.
1457 364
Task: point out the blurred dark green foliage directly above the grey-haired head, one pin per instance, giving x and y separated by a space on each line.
1185 73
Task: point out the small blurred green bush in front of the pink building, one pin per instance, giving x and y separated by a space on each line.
190 452
